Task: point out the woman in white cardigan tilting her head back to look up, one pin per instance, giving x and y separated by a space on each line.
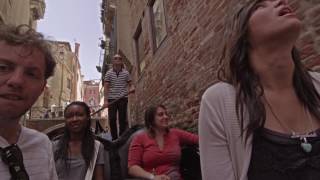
261 121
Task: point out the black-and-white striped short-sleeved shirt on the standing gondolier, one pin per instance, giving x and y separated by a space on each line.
118 83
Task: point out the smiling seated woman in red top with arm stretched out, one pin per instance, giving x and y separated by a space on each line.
155 153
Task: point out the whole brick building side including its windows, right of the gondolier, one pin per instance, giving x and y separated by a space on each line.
173 47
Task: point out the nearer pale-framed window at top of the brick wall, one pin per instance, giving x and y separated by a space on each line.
158 22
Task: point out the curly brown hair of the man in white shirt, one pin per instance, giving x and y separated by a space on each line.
26 36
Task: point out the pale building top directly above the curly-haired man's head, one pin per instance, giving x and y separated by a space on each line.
22 12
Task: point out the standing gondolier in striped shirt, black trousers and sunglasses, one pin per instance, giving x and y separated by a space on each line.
117 85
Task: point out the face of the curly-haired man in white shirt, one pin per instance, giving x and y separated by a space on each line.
22 79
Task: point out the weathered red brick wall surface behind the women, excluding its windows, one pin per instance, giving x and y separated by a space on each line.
179 71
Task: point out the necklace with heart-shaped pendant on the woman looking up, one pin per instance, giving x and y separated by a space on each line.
305 145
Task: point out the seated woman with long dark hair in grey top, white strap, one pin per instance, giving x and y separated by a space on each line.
78 155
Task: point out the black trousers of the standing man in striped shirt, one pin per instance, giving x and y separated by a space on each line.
119 109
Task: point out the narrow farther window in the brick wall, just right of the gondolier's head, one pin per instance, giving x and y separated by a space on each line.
139 44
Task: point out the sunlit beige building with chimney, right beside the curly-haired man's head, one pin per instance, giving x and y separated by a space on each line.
64 86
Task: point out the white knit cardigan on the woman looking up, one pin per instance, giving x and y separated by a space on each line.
224 153
